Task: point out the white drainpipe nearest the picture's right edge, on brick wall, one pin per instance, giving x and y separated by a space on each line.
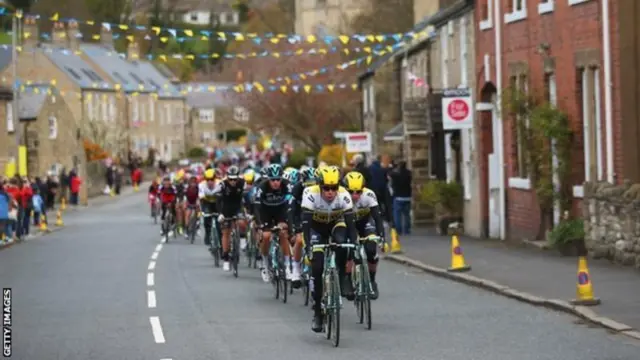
606 35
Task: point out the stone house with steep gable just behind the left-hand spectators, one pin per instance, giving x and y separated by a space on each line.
50 133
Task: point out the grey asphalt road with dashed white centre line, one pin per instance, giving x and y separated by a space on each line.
84 293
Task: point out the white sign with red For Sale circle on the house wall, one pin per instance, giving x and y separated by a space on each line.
457 109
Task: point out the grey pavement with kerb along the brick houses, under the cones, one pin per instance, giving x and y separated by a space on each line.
540 277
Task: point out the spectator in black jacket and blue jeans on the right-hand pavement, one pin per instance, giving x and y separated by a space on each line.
401 185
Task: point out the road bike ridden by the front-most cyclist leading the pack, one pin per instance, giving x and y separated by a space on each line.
331 297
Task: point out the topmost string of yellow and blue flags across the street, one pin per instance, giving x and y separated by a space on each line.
258 39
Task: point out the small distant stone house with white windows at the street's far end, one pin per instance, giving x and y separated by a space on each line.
212 112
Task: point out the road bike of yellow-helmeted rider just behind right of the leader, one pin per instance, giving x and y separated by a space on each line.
362 282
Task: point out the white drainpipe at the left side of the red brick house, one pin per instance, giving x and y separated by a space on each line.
501 164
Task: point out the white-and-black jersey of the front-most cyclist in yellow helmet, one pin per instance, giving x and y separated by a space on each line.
323 211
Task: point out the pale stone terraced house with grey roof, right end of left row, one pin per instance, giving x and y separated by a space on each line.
154 107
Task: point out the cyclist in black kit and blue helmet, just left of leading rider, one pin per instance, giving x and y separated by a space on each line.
272 198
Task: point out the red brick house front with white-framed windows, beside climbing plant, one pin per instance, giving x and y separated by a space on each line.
552 47
